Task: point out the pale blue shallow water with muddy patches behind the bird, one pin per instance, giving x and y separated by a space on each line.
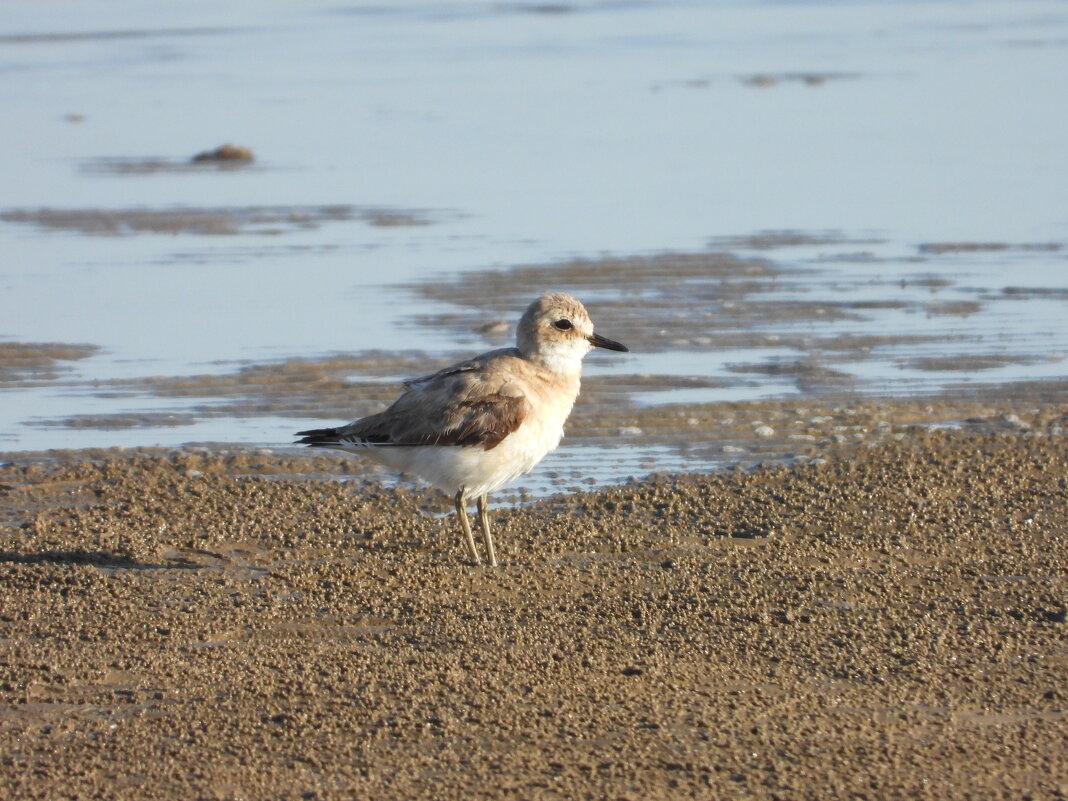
411 154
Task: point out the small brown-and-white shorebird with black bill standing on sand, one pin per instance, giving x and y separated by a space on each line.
472 429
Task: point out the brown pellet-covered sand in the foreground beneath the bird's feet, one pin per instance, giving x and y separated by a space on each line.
889 624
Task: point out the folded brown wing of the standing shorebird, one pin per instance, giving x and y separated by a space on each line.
450 409
